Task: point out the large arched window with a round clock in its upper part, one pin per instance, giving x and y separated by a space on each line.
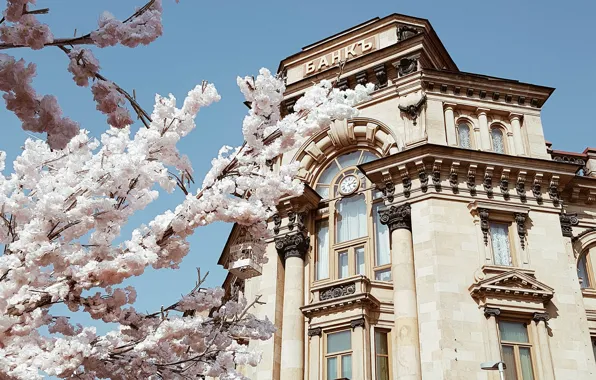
350 238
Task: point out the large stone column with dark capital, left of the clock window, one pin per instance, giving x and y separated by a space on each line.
292 249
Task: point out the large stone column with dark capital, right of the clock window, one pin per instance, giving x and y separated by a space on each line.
405 338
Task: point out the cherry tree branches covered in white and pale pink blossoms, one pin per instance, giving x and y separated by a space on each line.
69 197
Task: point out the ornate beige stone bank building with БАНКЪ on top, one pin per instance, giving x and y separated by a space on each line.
438 230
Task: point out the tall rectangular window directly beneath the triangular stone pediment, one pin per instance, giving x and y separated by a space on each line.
517 350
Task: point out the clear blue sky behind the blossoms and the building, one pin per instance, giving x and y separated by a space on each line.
547 43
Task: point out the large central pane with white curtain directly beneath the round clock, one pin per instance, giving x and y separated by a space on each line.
351 218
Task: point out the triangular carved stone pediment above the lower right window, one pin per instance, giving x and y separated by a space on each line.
512 284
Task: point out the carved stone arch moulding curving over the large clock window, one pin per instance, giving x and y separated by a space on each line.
342 137
